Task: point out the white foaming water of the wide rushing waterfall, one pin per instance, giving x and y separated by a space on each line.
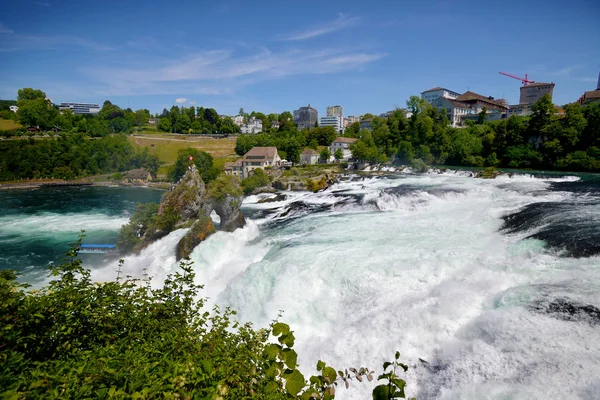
415 264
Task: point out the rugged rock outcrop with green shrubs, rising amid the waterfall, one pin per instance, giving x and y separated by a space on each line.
189 204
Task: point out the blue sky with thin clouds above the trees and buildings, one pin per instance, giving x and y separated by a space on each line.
272 56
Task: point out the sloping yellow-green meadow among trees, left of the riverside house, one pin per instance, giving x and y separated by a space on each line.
166 146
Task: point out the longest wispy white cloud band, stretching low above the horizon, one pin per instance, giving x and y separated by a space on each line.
218 72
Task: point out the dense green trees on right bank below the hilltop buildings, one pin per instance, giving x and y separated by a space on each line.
567 139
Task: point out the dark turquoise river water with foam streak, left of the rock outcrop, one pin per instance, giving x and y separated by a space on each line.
38 225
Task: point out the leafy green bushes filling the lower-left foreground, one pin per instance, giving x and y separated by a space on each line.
76 338
